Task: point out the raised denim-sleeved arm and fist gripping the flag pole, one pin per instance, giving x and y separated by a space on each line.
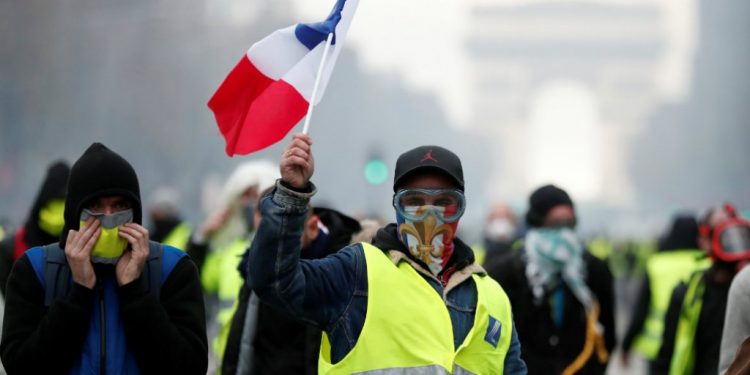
316 291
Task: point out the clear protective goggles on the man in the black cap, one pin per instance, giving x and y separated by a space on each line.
417 204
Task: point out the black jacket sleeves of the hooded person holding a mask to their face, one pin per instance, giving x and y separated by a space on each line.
167 336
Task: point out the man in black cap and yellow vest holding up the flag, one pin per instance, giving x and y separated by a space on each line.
412 302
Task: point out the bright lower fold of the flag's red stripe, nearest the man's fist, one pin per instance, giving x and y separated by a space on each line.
270 118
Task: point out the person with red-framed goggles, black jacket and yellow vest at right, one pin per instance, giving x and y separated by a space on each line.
694 321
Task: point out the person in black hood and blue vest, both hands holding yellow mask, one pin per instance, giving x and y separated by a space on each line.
104 299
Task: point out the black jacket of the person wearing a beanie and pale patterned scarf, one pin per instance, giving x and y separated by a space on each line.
546 348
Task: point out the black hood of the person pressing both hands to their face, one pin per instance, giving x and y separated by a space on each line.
97 173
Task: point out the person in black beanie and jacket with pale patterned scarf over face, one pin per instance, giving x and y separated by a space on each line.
562 296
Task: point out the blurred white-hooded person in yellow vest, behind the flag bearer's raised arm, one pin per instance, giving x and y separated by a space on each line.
222 239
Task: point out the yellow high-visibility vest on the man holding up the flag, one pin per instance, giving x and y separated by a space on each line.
408 329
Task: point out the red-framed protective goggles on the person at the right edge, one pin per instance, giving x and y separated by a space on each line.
730 240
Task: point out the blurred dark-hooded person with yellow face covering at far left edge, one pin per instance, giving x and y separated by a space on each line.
44 222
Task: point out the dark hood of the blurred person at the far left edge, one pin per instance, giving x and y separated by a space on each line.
53 187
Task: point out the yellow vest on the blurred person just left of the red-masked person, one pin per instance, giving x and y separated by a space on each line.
664 271
